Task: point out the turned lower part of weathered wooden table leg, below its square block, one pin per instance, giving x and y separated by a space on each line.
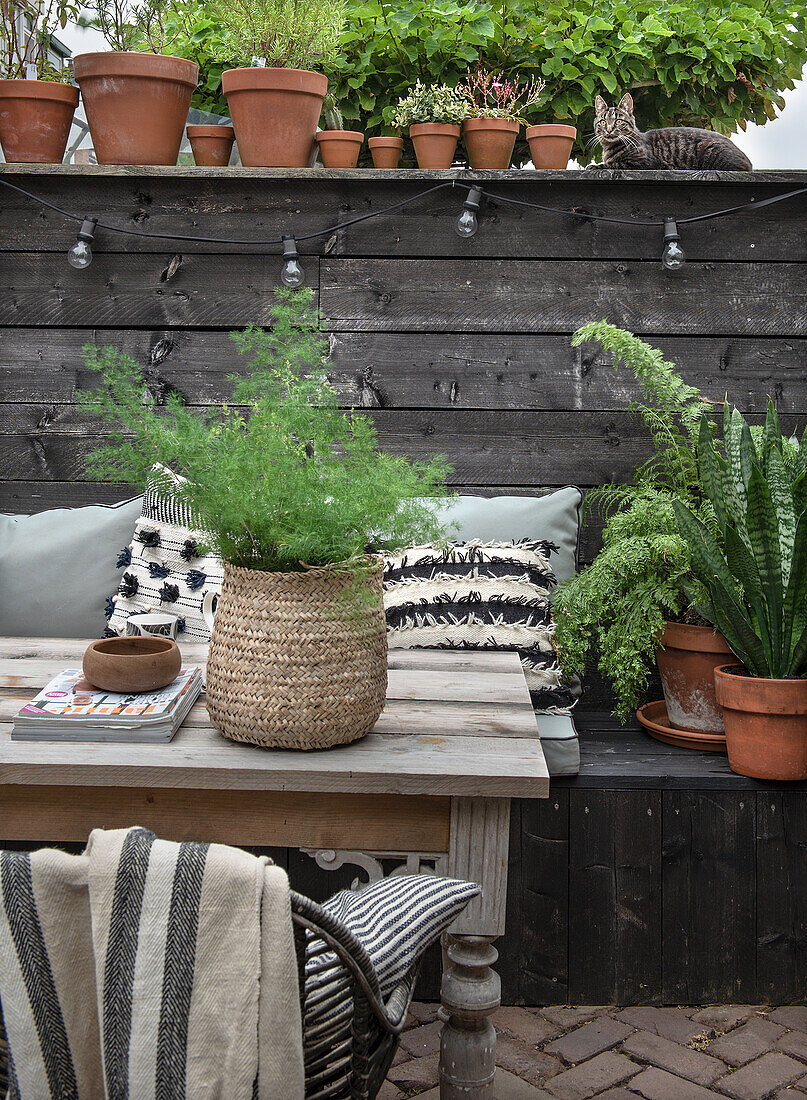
471 993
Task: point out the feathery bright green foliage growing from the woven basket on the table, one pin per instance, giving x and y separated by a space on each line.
282 478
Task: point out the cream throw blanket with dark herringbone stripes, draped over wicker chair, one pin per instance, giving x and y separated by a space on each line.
149 971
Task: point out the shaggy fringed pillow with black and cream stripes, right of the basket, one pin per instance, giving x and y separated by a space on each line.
480 596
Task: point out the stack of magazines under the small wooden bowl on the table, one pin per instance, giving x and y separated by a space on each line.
72 710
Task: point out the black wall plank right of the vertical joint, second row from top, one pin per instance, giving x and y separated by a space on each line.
558 296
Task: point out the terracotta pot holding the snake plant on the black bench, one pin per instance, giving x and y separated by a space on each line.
766 724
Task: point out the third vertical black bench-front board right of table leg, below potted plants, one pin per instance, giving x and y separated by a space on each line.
710 877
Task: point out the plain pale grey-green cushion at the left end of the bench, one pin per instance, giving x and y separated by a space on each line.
59 567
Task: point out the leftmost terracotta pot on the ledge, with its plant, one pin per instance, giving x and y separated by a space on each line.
37 100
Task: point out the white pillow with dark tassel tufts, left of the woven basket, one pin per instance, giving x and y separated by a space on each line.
167 568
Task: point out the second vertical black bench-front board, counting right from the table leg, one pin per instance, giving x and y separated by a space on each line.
614 897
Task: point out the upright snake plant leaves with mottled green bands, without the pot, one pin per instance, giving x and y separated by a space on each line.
757 581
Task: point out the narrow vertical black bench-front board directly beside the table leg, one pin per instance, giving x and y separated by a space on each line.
541 906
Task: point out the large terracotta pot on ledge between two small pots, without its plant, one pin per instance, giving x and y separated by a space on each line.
275 113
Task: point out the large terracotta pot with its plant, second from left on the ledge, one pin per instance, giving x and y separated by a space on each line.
137 97
